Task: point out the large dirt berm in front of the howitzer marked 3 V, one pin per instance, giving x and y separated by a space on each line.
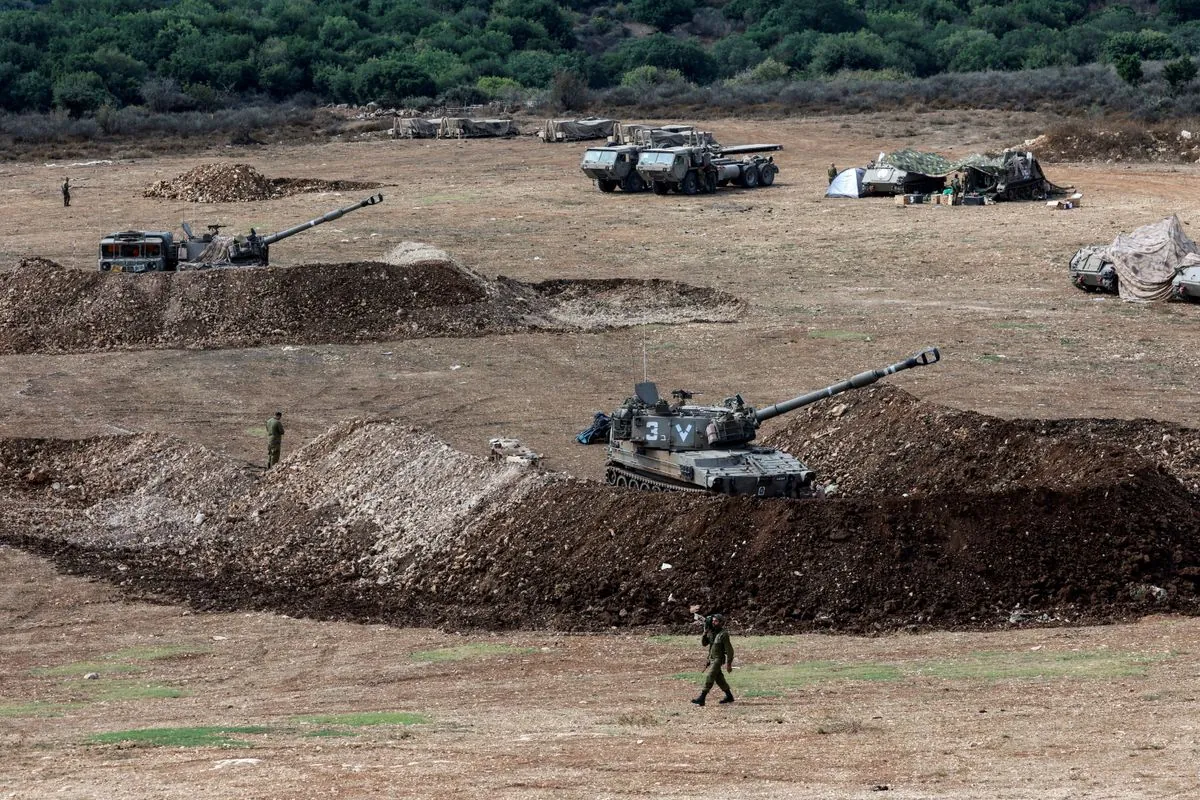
379 522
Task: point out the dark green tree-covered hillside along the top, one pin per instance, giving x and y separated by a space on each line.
82 56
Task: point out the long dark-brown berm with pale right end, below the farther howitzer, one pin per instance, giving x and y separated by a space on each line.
412 294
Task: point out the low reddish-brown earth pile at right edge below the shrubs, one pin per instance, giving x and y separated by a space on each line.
1078 142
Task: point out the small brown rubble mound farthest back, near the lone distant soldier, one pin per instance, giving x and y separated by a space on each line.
223 183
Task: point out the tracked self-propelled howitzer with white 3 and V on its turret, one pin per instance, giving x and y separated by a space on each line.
659 447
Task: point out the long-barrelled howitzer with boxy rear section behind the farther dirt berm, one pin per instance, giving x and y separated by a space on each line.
146 251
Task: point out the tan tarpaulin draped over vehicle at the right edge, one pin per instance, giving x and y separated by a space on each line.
1148 260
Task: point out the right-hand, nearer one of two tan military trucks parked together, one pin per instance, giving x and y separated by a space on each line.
693 170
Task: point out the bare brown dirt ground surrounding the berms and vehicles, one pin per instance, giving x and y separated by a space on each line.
833 288
